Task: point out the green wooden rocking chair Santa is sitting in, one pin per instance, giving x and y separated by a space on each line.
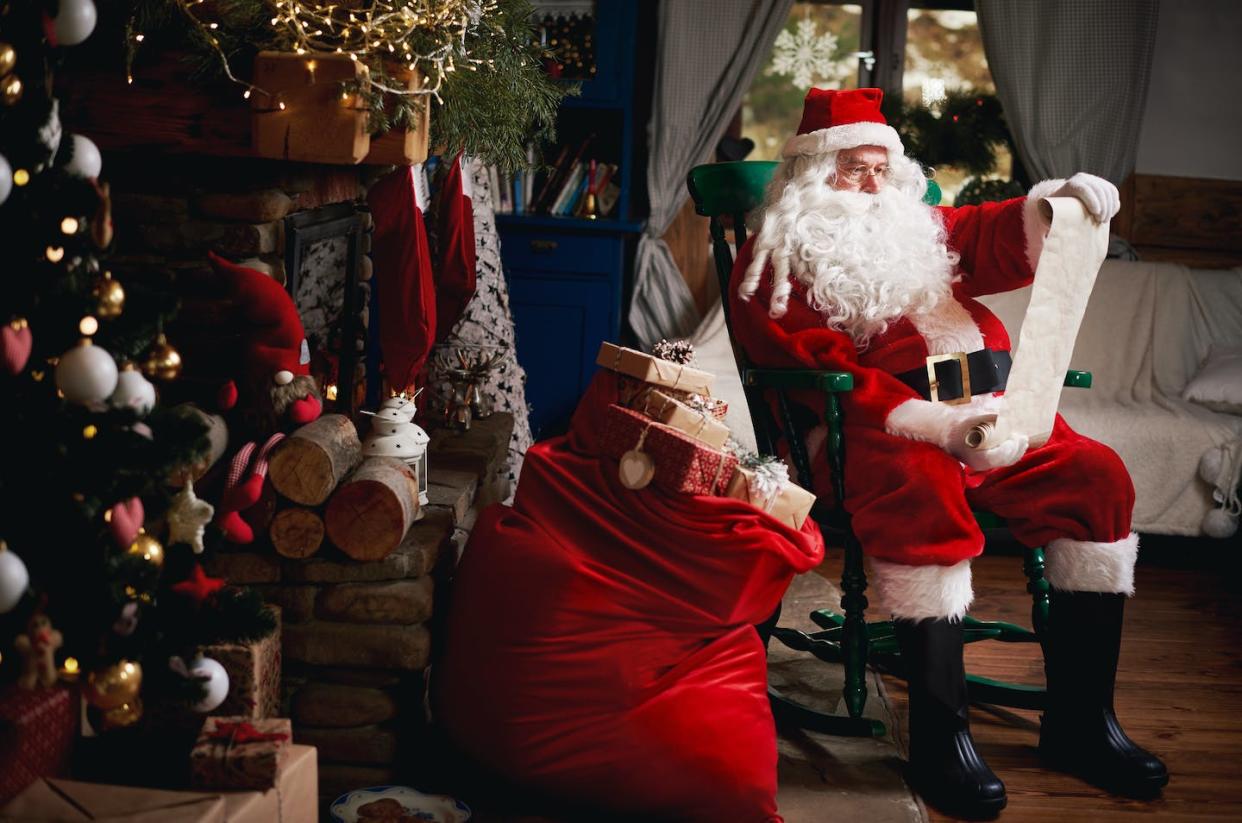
732 191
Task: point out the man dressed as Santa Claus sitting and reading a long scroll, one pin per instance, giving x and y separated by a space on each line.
850 271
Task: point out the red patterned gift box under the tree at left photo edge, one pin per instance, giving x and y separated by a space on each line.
38 731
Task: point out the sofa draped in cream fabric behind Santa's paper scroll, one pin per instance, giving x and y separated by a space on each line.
1147 331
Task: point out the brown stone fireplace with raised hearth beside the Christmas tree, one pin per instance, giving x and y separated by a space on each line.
357 637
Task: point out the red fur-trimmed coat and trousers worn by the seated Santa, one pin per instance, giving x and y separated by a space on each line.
910 500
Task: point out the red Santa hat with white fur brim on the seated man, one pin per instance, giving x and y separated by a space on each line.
846 120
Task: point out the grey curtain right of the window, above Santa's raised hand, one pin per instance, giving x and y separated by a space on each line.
1074 80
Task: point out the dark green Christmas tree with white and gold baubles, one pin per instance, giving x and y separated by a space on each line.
101 573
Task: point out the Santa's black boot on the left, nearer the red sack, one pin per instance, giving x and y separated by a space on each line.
945 768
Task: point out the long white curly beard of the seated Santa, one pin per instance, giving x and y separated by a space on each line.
866 260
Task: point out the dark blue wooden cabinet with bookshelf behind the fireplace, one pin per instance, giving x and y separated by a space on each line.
567 276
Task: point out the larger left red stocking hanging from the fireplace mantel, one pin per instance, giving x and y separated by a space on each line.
407 292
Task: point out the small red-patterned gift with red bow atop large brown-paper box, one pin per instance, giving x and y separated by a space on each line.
239 753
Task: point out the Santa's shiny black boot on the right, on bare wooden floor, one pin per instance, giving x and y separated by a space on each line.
1080 734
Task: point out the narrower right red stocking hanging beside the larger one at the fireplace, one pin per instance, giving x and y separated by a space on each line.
455 234
